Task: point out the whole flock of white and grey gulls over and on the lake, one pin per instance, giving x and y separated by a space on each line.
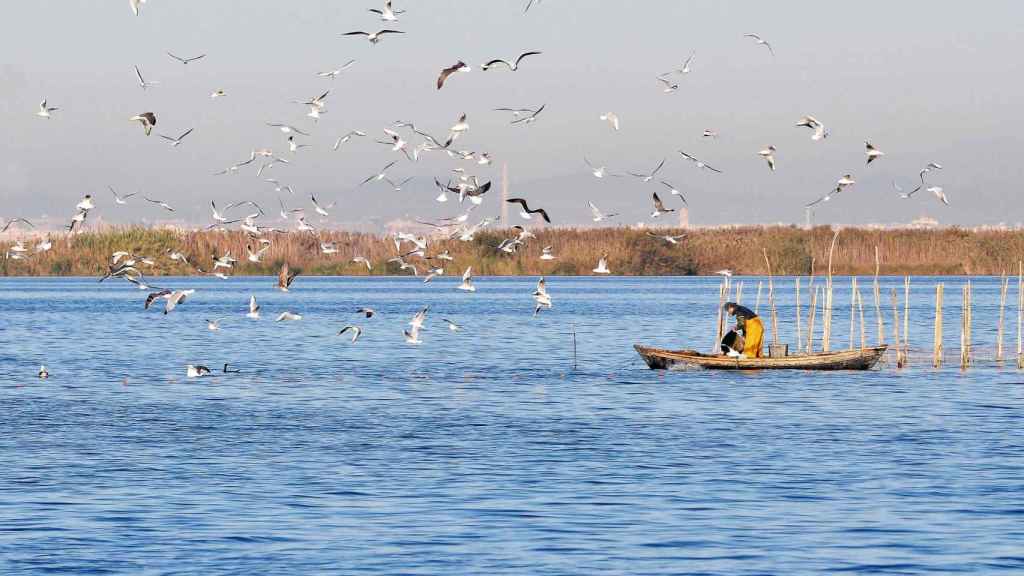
463 186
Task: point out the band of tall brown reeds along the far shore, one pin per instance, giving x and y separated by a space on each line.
631 253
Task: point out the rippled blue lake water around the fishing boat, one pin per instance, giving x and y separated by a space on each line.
485 451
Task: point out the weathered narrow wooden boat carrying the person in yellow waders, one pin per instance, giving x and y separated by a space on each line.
859 359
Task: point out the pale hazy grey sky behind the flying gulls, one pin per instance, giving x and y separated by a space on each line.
923 81
